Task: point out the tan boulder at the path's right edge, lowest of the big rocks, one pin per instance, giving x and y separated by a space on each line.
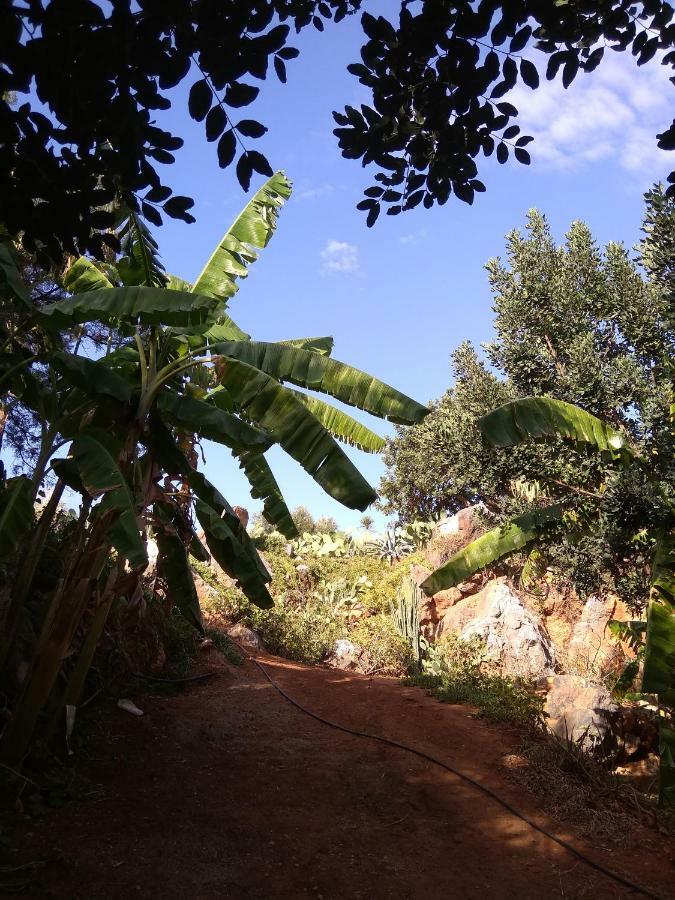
578 710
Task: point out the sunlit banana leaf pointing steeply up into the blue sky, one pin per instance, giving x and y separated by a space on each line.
253 227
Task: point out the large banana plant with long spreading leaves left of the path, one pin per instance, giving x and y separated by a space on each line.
177 367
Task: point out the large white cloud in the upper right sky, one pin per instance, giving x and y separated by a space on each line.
612 114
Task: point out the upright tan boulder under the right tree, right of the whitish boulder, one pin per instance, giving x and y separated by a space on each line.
593 650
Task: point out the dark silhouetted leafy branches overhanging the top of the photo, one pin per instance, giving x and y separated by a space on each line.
82 82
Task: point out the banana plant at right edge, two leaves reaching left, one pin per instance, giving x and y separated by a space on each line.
542 418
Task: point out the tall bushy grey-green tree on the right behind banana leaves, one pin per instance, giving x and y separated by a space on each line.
583 326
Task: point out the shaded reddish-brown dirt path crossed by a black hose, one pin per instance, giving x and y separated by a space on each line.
226 790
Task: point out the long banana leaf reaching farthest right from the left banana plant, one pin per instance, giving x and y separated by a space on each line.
329 376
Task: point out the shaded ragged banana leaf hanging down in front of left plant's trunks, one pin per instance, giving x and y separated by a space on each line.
101 477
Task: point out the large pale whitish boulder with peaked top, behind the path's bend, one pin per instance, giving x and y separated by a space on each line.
514 637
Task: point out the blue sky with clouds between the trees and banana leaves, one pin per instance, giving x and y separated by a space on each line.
400 297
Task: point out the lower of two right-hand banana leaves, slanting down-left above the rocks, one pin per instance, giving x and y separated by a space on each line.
497 543
